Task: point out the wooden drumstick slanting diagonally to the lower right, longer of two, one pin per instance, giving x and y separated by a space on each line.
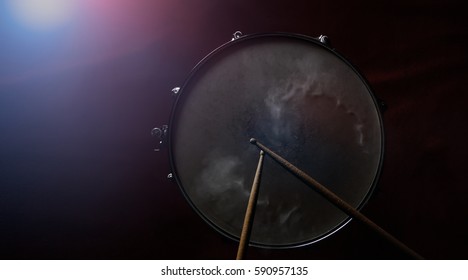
333 198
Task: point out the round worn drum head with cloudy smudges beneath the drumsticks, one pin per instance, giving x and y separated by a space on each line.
304 101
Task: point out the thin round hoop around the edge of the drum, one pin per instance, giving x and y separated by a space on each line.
237 41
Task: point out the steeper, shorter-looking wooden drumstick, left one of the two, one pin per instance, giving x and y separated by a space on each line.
250 212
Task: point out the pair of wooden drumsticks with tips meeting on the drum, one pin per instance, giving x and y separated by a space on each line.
322 190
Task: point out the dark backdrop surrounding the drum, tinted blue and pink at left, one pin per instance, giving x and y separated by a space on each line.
78 175
